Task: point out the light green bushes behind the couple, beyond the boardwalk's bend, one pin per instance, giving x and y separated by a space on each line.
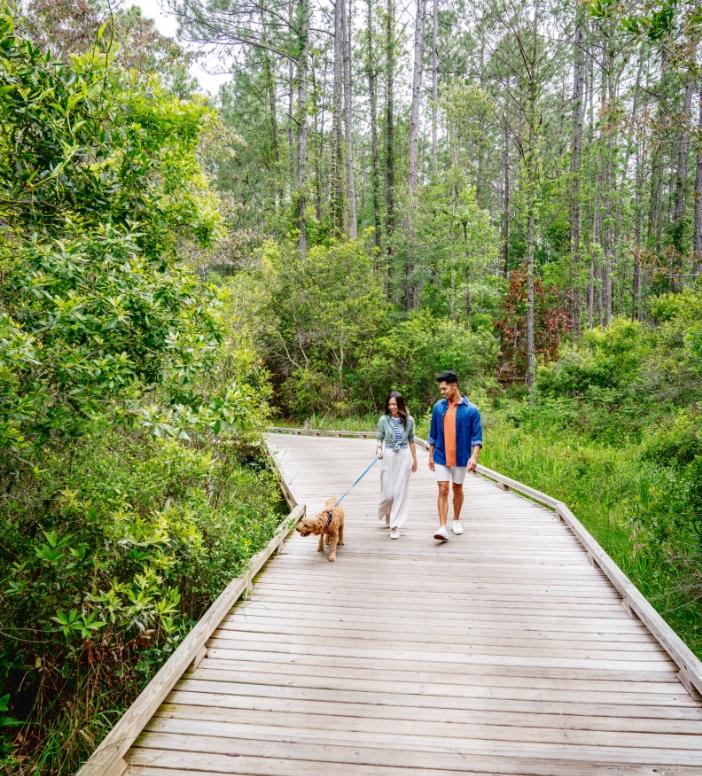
338 348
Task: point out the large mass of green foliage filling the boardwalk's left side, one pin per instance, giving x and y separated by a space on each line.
132 482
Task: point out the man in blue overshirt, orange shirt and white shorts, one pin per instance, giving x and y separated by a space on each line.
455 441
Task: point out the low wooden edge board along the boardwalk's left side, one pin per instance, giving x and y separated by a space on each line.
107 759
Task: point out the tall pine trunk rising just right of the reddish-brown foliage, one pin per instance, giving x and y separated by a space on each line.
575 160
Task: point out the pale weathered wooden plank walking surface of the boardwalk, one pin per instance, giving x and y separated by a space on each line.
503 651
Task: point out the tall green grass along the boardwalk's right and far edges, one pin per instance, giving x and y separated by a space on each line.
606 487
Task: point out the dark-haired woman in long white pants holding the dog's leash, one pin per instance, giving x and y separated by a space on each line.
399 454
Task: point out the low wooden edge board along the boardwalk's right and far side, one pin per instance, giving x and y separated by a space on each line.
690 668
